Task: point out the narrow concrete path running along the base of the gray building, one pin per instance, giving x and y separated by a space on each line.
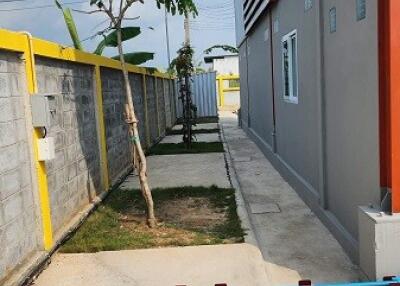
294 243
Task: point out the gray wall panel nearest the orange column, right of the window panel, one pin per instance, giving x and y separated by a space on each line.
351 94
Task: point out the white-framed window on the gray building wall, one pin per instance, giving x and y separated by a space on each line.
289 67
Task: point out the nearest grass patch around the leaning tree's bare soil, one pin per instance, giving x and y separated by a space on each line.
103 230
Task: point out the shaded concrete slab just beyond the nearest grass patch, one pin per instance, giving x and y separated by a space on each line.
168 171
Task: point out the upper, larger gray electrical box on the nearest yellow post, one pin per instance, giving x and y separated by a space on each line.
42 108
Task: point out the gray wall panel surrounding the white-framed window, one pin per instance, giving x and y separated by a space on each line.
297 130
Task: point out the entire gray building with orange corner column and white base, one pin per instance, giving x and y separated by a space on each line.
320 95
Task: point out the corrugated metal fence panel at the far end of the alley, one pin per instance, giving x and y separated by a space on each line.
204 95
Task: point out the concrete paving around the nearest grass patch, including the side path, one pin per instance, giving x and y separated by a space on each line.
293 242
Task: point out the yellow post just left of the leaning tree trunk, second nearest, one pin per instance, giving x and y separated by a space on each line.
100 118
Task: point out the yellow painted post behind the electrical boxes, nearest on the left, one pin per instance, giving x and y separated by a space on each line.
40 165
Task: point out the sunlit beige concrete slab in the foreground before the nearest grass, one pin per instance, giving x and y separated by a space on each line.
235 265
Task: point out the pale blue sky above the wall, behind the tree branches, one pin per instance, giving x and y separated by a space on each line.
214 25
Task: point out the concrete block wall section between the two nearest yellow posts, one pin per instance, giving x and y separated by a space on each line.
74 176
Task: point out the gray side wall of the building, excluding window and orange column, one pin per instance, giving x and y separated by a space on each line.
327 145
